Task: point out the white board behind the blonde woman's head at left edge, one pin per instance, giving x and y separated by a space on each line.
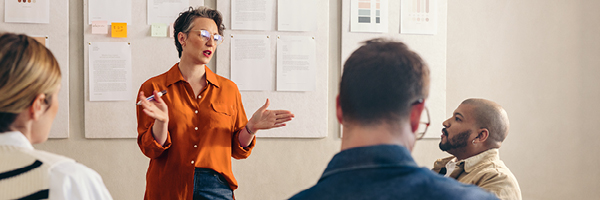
57 32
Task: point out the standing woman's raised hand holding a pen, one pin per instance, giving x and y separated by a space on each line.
158 110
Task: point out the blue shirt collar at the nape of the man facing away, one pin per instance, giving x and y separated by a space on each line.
370 157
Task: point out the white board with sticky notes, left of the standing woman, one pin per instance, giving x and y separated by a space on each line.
151 56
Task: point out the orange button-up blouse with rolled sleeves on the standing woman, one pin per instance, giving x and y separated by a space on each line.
203 133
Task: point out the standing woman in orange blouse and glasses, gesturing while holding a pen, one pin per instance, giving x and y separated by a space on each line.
191 133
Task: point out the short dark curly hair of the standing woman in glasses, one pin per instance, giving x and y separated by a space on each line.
184 22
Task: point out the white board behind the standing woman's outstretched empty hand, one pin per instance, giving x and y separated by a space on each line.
310 108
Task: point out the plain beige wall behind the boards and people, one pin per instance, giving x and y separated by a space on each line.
537 58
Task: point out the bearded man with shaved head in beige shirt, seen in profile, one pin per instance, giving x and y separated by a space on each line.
473 135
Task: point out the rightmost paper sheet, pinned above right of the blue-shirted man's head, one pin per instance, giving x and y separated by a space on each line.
418 17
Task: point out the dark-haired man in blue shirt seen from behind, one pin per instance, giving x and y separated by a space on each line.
382 95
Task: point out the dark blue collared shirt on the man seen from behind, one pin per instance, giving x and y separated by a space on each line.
385 172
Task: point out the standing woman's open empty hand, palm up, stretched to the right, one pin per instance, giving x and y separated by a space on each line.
268 119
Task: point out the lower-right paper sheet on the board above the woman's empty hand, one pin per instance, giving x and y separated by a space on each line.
296 63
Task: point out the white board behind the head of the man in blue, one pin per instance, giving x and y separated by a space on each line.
431 48
